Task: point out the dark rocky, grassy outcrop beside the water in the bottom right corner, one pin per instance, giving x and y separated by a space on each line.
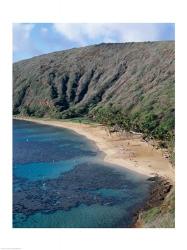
159 210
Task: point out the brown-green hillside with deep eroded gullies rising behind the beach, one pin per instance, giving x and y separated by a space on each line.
137 77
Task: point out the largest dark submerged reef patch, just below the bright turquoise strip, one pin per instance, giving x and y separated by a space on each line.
73 188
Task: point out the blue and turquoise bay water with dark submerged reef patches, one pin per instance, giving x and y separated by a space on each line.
60 180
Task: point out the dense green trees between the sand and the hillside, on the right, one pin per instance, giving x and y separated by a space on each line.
148 123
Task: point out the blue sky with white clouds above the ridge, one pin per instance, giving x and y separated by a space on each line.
32 39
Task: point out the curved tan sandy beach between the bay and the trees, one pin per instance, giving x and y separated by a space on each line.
129 151
